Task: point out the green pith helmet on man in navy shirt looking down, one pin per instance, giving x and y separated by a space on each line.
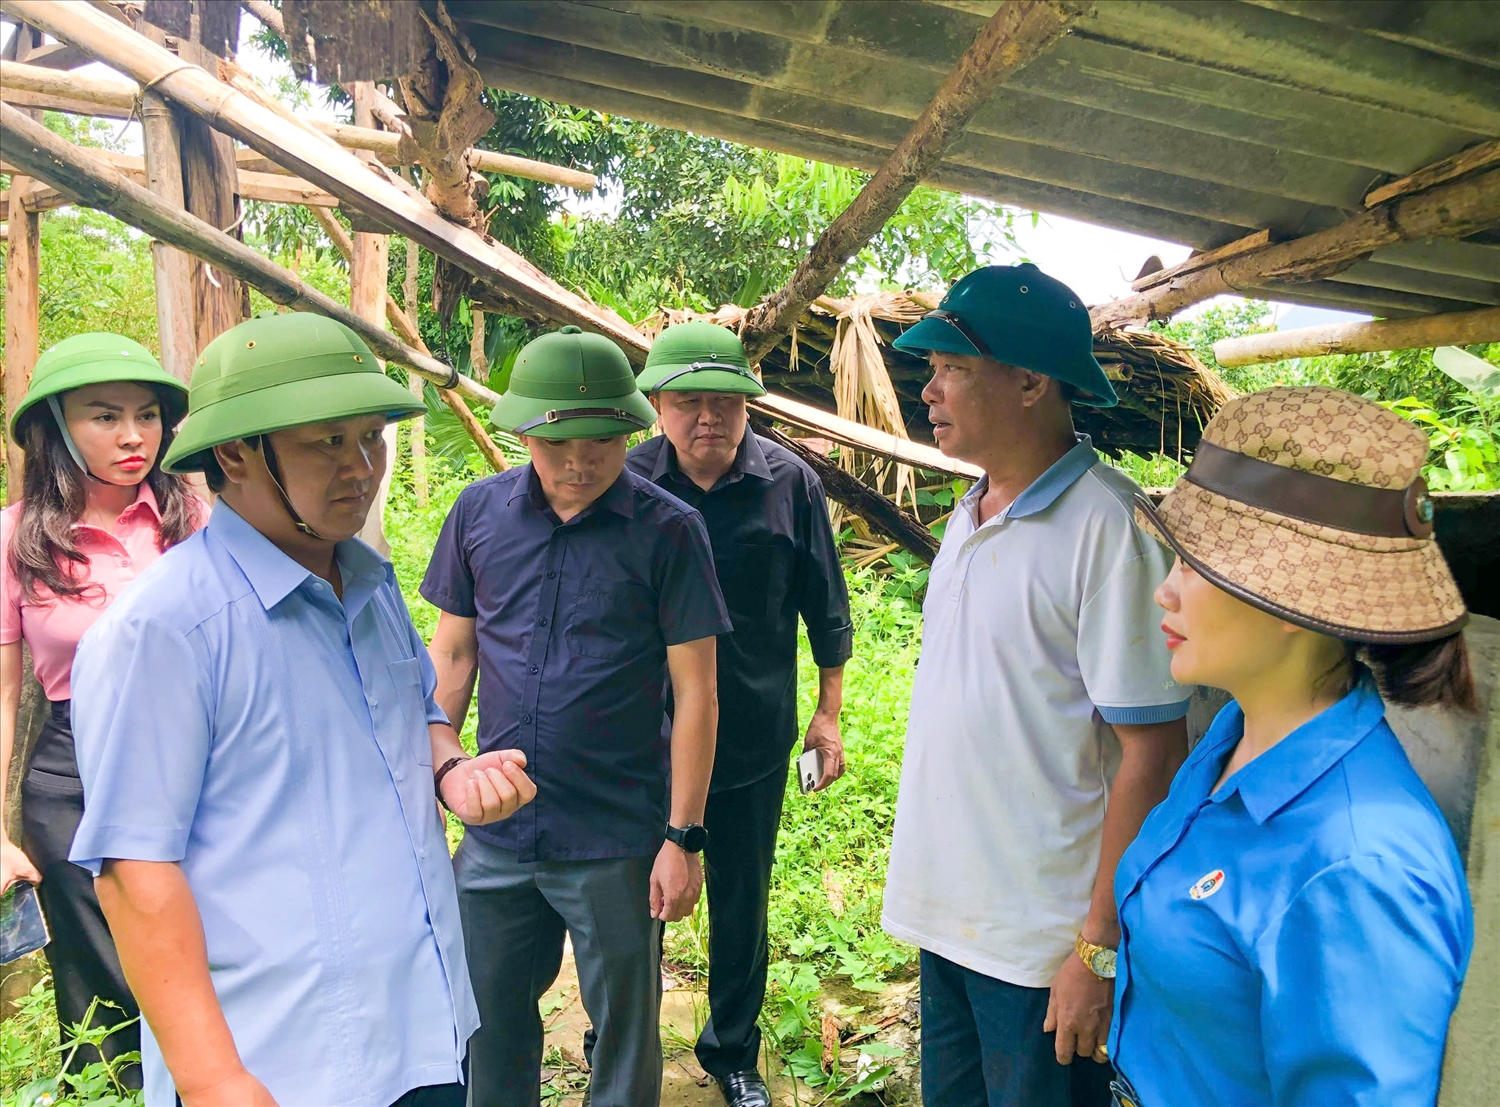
571 385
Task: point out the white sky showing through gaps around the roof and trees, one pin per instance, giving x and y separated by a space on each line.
1096 262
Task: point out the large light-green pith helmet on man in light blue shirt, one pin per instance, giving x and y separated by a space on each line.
281 371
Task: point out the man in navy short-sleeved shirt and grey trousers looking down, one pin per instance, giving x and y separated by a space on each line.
572 589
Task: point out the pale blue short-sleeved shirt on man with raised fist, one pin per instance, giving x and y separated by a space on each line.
245 724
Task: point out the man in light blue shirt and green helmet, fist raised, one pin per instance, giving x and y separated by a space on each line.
260 755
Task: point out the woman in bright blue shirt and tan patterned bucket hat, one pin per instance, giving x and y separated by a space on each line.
1295 919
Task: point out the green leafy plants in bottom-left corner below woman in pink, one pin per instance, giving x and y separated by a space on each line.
34 1067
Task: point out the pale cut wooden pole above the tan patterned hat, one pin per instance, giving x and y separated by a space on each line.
1457 329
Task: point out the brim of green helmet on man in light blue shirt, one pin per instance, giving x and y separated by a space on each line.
320 400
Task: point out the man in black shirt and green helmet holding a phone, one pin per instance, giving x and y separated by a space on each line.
776 560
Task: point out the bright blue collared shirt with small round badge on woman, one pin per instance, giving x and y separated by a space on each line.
1297 938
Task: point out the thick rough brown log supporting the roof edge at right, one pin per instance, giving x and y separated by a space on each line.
1453 211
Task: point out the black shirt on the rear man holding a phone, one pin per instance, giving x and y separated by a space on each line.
776 559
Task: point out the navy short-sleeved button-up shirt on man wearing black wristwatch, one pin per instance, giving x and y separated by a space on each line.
574 623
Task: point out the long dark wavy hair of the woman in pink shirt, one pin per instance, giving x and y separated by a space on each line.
53 499
